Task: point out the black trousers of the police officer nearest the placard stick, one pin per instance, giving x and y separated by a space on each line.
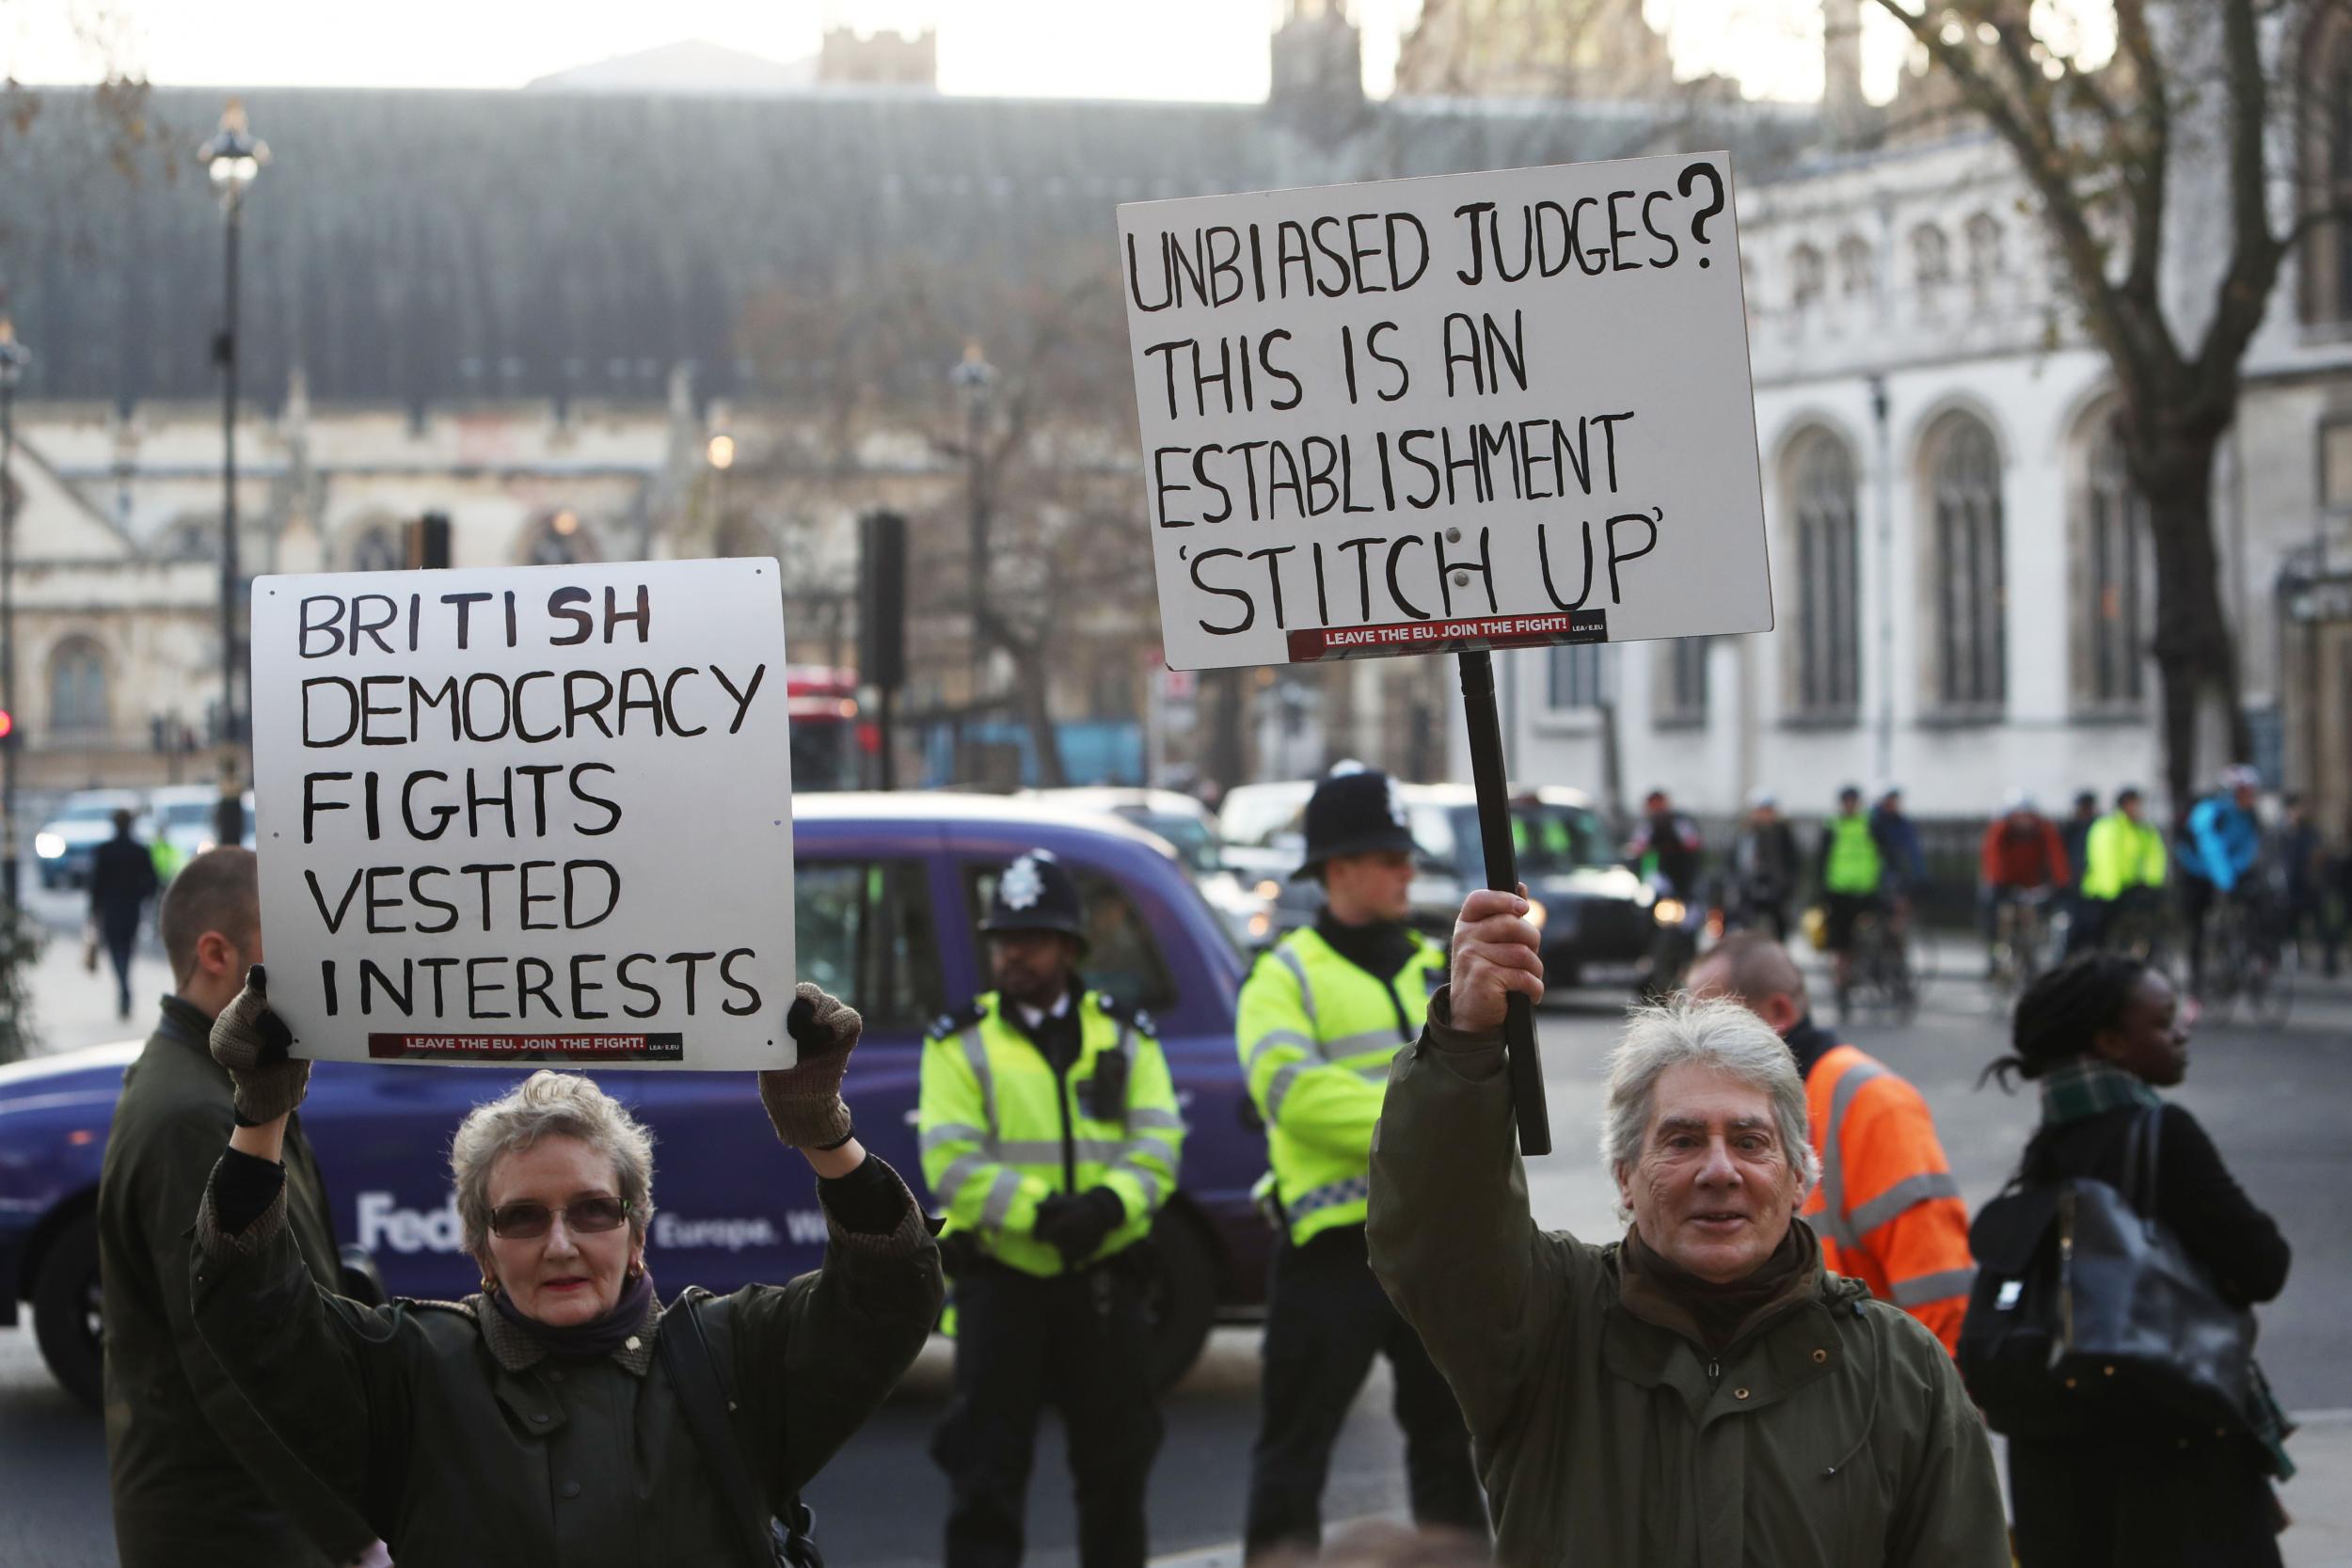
1325 1320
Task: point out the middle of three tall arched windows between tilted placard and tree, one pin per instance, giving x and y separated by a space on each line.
1965 565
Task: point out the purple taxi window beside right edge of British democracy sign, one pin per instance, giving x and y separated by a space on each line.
862 930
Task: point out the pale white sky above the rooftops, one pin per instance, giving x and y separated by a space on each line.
1020 48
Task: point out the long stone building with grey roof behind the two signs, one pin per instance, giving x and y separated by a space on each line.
535 311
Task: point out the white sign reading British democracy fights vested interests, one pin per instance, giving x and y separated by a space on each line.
530 815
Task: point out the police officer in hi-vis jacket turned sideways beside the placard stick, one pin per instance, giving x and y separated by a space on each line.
1321 1019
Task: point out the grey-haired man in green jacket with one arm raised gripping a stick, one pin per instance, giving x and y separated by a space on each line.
1704 1391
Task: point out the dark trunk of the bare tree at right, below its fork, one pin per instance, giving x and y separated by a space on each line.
2196 648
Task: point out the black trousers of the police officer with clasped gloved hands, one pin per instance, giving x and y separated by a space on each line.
1083 1343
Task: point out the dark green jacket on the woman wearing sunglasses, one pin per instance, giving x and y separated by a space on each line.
467 1445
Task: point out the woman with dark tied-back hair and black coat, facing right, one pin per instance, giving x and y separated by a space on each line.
2102 1038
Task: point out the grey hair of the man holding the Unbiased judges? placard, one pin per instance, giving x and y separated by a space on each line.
1723 1038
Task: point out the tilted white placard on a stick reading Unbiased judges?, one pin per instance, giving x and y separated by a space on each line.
1478 410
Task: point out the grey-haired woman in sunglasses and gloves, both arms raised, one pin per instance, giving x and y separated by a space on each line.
563 1416
